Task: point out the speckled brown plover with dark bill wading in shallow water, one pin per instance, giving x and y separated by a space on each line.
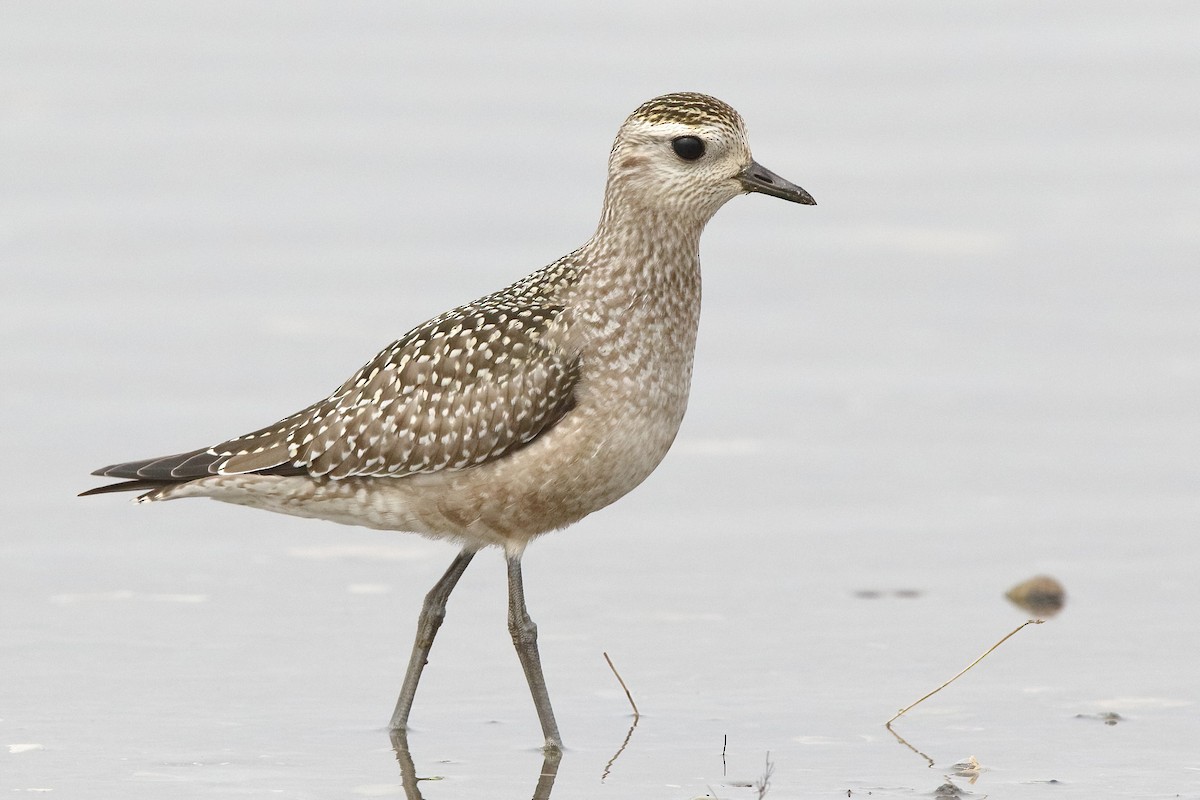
523 412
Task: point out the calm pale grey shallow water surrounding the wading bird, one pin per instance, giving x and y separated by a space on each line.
976 362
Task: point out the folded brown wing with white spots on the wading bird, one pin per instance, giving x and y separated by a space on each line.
460 390
